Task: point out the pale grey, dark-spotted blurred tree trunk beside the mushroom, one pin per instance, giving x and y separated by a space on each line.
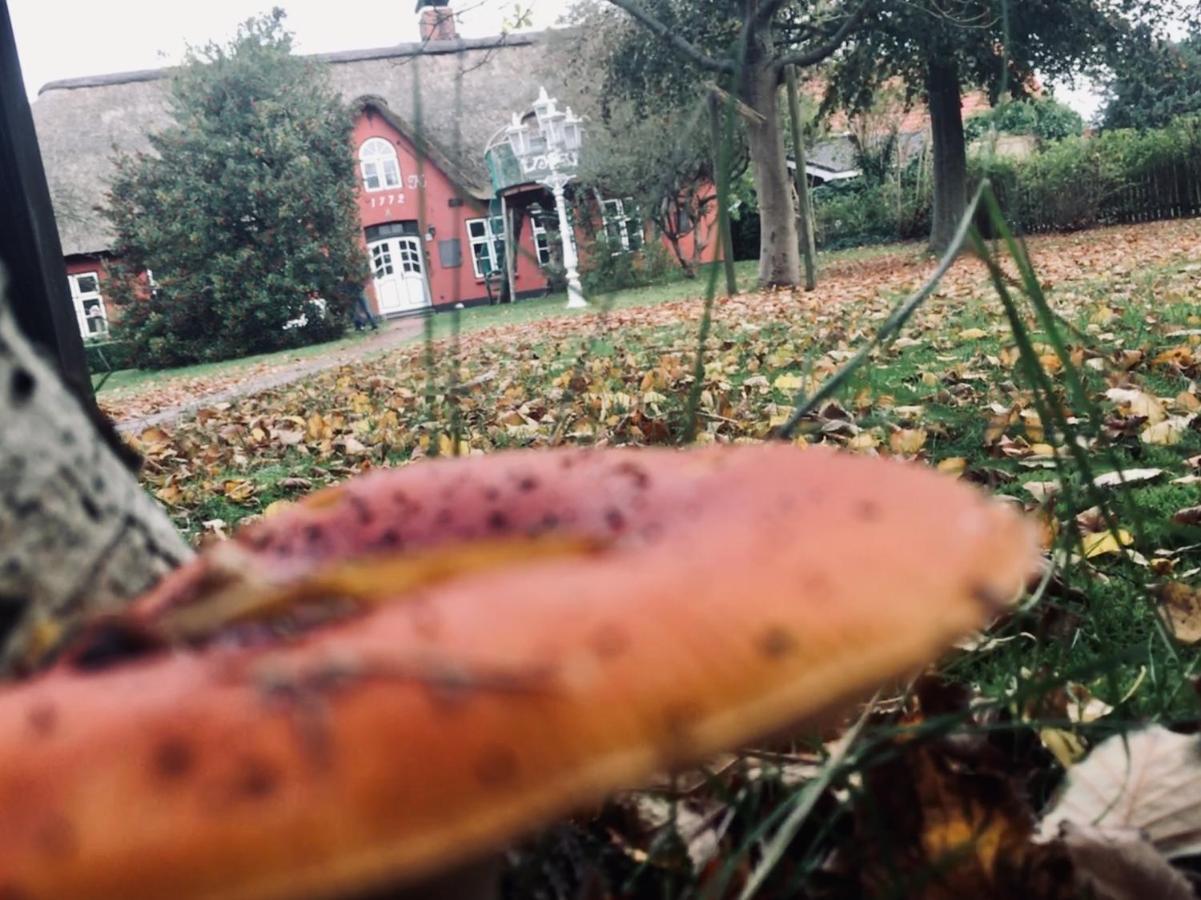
77 533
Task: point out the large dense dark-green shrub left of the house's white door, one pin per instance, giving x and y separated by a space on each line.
244 212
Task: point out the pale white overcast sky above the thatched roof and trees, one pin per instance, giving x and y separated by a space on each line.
68 39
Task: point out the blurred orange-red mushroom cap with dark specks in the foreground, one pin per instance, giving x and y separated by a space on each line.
738 592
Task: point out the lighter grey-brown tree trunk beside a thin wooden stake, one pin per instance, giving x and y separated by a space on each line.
780 260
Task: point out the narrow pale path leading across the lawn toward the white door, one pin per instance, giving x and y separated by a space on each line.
232 388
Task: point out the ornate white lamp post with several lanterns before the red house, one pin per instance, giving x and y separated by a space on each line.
548 152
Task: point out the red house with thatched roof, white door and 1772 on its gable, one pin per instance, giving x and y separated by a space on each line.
434 225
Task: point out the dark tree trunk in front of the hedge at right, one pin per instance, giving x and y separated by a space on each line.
951 152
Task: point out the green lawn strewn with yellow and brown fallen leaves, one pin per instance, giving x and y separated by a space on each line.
1112 628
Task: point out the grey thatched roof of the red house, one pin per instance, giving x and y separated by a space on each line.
468 91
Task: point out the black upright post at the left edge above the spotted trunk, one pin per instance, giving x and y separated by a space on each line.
29 239
